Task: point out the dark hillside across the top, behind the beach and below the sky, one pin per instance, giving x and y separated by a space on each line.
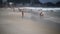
34 2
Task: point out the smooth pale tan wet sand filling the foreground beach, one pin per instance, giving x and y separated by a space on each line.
12 23
